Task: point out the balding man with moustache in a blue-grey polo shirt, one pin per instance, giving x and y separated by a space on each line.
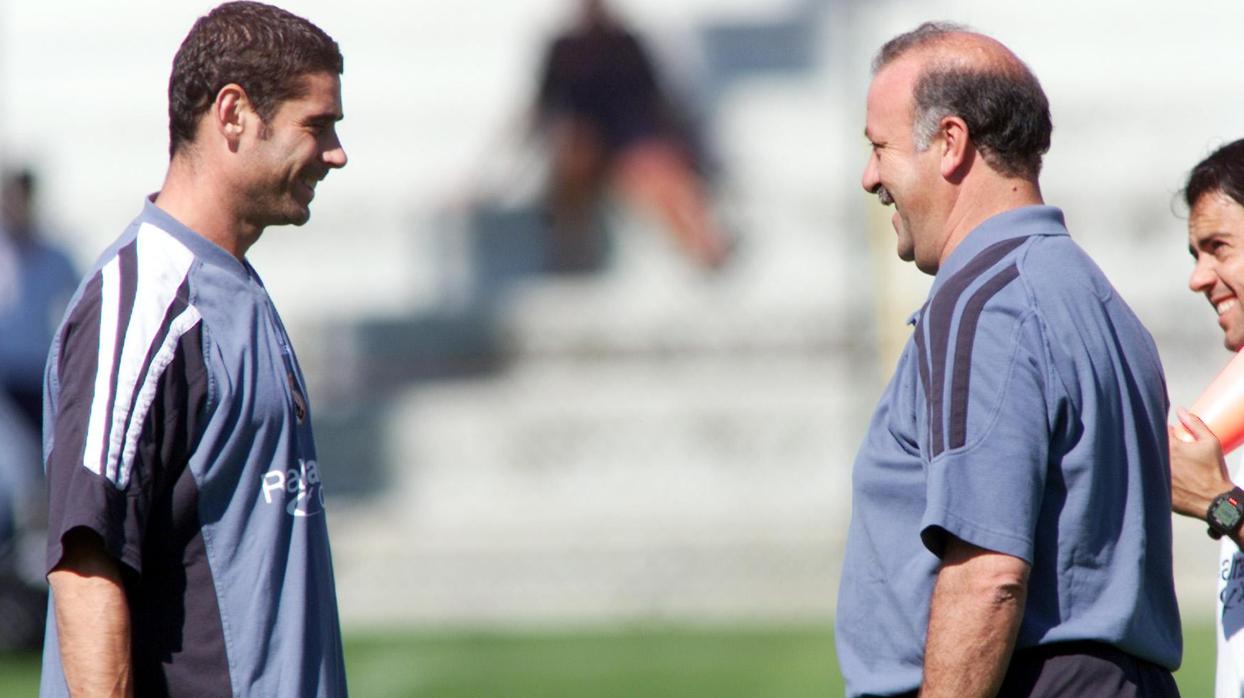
1011 527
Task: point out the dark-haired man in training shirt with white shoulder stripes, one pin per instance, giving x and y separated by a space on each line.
188 553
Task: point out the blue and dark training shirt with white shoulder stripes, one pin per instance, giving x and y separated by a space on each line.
177 429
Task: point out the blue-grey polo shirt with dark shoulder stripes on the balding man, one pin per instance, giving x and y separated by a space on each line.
1027 417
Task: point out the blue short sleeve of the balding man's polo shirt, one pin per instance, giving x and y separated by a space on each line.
986 488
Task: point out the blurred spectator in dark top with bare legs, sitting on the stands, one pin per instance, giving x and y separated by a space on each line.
609 123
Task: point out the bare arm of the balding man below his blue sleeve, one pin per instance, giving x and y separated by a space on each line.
973 624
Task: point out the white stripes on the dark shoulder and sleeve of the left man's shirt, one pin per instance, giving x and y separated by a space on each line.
162 267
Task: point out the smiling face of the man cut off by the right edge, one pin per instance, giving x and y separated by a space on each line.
1216 240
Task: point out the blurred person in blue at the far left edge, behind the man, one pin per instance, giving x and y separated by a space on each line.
37 282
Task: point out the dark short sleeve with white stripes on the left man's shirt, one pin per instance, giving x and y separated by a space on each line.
123 424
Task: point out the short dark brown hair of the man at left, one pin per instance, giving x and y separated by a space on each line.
264 49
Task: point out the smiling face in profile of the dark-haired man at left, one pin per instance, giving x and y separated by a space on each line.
293 152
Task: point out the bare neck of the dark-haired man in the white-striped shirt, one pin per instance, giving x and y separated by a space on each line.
200 200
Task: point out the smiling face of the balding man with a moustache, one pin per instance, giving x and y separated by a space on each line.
900 174
